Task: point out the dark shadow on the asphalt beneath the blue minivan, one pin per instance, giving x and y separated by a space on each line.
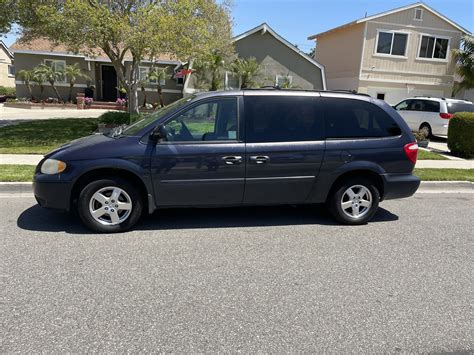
37 218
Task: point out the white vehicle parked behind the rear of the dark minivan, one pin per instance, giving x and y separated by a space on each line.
430 113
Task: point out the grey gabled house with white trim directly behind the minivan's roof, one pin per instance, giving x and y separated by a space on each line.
279 59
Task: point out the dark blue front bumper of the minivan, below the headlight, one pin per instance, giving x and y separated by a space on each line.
56 195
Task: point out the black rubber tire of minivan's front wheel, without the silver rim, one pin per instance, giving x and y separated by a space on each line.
95 186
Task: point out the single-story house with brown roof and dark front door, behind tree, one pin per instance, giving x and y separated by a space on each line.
102 76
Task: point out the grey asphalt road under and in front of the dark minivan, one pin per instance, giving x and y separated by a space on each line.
259 279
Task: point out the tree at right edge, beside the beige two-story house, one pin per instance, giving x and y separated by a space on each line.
464 58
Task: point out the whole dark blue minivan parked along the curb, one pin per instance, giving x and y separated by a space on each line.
237 148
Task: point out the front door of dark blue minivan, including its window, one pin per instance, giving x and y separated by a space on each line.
201 162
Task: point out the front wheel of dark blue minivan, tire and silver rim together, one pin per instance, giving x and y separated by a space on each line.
110 205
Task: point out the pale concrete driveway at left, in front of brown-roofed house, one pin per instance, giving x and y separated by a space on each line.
10 115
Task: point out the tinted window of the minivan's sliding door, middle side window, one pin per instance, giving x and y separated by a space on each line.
282 119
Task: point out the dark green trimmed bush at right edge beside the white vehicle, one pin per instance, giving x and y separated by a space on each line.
461 135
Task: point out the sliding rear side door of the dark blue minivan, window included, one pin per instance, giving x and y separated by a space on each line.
284 147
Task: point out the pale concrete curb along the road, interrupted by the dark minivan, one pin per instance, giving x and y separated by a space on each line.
22 188
